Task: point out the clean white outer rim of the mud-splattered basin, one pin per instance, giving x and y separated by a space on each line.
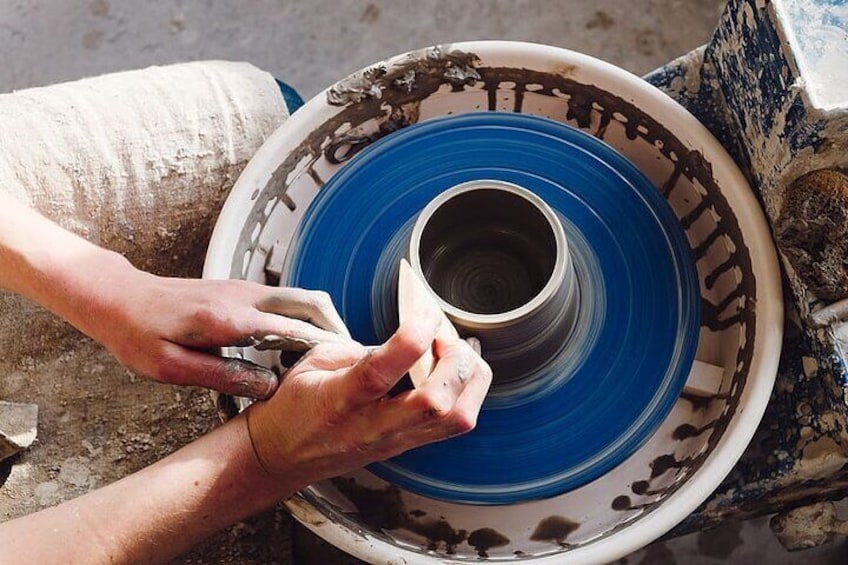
752 223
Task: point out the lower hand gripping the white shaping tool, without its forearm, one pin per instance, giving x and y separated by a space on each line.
332 412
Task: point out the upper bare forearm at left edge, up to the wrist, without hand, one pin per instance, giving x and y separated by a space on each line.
53 267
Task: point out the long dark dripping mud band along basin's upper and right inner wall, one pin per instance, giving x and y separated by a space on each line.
393 96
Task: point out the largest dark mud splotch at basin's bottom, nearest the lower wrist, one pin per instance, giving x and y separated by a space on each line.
383 509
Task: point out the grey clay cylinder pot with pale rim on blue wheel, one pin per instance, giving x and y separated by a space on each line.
496 257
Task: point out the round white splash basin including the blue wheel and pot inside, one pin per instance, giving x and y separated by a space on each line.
626 294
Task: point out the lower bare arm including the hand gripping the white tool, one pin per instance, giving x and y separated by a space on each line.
265 455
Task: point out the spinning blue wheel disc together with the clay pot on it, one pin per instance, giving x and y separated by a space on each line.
577 386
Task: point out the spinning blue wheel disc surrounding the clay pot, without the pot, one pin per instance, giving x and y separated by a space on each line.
615 375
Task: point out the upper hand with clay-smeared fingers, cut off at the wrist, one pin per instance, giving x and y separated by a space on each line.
163 328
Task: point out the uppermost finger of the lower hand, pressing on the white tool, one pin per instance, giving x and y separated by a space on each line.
376 373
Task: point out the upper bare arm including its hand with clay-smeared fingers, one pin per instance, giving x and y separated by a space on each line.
158 326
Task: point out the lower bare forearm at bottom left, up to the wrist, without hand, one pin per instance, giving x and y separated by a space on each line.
157 513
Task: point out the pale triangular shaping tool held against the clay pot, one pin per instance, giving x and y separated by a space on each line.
414 299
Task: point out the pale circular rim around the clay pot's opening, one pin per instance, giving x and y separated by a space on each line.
511 316
